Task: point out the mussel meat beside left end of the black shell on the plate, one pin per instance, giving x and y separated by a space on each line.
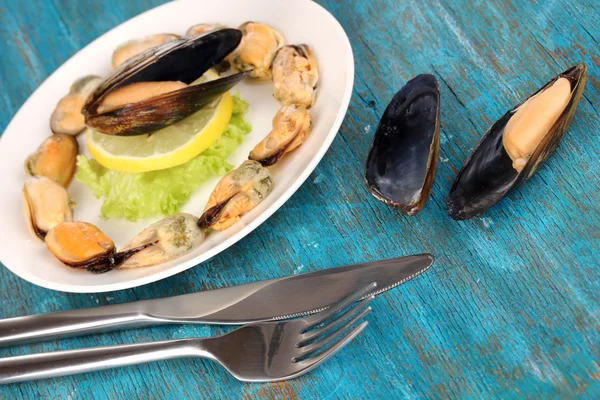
67 117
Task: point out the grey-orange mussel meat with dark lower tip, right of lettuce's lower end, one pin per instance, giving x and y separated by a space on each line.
236 193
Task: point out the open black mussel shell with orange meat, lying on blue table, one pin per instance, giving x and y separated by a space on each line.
516 145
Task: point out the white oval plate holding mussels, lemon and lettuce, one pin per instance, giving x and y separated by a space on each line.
300 21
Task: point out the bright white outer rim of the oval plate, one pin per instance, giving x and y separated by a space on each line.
253 224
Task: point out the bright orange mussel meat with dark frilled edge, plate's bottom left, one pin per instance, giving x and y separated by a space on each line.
83 245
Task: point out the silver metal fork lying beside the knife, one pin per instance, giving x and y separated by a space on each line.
261 352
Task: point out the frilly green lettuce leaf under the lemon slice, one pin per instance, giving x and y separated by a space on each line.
140 195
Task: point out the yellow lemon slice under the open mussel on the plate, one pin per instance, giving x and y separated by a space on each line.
167 147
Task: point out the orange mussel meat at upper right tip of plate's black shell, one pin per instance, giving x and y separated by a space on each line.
257 49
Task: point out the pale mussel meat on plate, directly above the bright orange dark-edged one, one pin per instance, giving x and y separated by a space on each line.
46 204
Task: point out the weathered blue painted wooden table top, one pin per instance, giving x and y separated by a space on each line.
511 308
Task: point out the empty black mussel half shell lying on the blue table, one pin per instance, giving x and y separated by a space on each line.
402 161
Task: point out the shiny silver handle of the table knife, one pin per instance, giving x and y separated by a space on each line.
78 322
